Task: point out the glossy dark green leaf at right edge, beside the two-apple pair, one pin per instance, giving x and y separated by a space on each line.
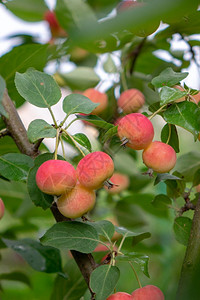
185 114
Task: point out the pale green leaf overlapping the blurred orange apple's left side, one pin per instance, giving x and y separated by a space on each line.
76 103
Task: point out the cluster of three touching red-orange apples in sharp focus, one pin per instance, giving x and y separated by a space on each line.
75 188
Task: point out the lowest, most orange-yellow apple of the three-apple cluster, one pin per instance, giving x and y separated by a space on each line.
77 202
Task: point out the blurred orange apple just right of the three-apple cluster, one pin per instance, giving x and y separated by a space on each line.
120 183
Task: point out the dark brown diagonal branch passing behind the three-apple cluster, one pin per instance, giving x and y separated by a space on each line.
18 132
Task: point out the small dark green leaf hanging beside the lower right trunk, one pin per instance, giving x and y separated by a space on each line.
182 228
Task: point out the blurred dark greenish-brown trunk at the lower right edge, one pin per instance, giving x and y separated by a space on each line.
189 280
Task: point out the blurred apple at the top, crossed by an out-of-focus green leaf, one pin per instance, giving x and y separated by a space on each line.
146 30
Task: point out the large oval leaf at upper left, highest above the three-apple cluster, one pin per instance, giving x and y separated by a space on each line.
38 88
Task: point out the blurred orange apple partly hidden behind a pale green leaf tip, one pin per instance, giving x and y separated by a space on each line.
97 97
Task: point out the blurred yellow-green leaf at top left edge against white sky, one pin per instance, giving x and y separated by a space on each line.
31 10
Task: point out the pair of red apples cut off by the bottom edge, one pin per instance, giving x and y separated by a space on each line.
148 292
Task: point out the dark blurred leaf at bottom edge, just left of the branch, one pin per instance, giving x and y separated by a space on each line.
71 288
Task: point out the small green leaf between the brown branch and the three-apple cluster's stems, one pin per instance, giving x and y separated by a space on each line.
39 129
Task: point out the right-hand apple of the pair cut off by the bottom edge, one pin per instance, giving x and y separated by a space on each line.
148 292
